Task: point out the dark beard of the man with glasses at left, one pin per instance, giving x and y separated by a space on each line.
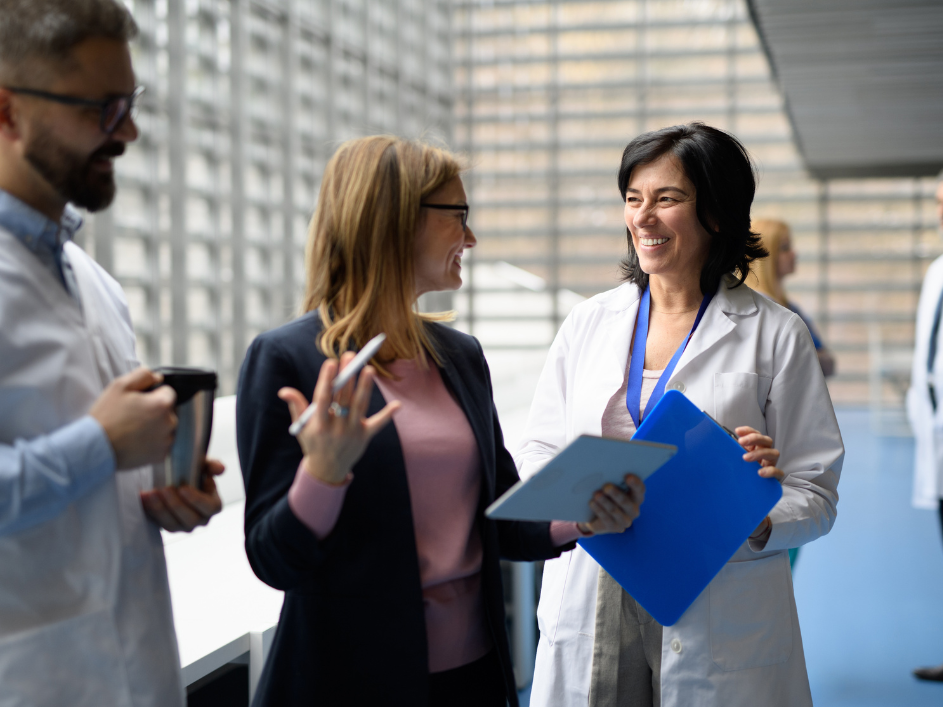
72 175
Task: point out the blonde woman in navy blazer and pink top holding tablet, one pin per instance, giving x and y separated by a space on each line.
376 532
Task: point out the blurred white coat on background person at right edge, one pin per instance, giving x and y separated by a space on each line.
926 424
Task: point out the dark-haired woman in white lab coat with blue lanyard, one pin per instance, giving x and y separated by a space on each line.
742 358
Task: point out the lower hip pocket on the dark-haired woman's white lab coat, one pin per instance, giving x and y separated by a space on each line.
751 614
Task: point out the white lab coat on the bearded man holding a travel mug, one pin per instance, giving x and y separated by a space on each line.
85 613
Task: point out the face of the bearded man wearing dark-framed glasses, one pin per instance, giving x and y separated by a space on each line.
64 144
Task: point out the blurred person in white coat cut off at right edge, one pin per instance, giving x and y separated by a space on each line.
924 403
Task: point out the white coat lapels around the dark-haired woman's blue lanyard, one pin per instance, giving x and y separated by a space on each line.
721 318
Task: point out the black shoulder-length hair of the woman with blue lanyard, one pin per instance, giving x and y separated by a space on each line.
724 180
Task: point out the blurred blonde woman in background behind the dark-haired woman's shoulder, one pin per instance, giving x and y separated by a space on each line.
767 275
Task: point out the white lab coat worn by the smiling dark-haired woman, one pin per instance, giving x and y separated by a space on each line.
750 362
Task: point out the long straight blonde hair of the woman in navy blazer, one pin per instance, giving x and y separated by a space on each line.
359 255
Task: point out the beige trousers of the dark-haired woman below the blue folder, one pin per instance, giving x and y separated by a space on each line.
626 650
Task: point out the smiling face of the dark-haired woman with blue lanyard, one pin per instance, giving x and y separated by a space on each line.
661 215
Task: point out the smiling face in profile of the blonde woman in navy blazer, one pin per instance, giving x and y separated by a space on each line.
441 241
